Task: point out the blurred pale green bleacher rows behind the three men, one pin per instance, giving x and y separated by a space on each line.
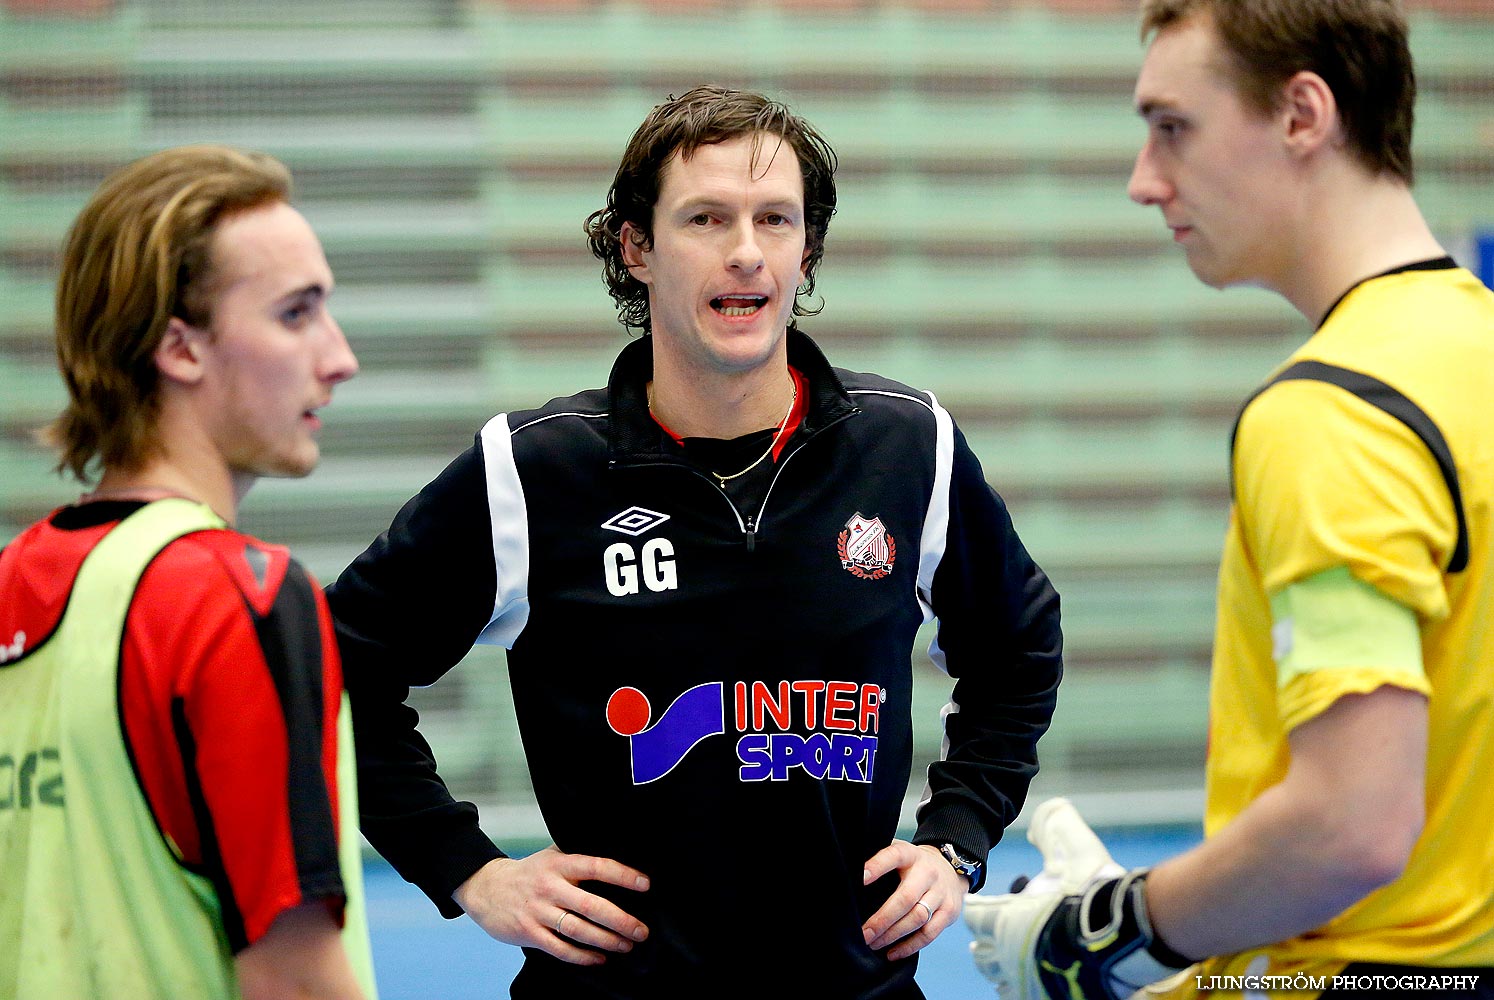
984 249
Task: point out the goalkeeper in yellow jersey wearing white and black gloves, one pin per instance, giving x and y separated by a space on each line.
1348 835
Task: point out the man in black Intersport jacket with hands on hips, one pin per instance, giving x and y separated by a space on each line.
710 576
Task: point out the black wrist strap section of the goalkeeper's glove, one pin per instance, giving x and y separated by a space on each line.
1102 944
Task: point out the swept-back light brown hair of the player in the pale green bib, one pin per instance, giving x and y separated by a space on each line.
137 256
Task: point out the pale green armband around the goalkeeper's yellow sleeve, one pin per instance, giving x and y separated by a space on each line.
1336 621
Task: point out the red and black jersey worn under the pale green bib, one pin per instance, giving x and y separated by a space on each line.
229 696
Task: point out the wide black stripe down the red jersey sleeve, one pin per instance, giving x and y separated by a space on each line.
292 643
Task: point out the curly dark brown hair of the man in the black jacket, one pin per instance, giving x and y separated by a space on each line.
704 116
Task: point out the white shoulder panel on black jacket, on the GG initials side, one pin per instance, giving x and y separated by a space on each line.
509 519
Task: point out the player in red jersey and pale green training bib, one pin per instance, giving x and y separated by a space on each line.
177 805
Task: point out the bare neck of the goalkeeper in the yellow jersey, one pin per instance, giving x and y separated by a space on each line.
1353 229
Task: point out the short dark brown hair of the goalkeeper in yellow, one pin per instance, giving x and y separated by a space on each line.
1360 49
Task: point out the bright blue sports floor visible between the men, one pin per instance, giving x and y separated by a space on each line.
419 956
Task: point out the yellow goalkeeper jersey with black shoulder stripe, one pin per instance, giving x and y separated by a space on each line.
1330 478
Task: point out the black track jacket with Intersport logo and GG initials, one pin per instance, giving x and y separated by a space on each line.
718 697
